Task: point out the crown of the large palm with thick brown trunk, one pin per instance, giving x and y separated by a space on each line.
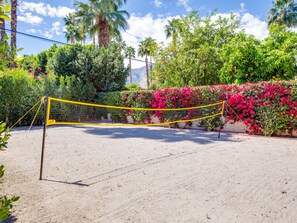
105 18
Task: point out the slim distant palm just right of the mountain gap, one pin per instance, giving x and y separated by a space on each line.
145 49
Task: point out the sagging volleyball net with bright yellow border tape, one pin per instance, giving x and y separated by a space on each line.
67 112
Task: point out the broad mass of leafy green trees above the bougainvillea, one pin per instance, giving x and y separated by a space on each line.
213 50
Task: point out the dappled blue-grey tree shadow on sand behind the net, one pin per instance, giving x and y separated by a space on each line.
160 134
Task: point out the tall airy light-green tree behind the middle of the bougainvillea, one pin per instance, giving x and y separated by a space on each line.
193 57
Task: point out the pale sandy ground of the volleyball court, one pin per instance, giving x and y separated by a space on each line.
150 175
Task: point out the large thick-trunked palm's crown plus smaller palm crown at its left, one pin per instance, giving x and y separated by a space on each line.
103 18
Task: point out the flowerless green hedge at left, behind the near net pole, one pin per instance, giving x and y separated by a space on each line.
20 91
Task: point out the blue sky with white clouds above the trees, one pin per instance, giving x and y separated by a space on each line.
148 18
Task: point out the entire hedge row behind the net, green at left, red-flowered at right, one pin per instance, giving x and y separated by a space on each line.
268 108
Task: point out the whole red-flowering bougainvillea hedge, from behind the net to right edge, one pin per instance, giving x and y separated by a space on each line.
267 108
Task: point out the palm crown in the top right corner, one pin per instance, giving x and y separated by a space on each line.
284 13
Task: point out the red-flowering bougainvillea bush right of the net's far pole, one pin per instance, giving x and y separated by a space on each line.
266 108
